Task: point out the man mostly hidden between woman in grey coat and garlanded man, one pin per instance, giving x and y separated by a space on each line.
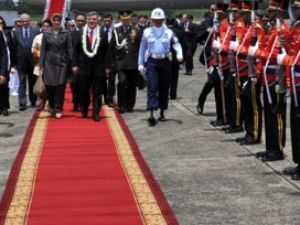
80 20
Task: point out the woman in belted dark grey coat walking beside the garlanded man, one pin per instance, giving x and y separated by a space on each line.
56 54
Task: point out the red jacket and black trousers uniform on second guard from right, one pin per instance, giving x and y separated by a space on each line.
275 119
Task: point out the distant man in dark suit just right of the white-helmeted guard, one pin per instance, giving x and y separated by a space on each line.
189 30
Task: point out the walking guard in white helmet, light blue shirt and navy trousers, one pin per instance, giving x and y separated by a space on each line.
157 41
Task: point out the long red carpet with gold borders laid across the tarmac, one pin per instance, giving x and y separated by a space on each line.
76 171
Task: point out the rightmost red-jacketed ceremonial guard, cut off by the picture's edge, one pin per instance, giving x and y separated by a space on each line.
291 61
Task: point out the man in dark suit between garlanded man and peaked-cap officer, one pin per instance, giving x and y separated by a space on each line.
109 84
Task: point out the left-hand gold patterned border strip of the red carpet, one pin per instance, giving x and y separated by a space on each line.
21 200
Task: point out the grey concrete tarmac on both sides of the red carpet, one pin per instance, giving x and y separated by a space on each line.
207 178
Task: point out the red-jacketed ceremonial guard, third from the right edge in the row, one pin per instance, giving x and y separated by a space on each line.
251 102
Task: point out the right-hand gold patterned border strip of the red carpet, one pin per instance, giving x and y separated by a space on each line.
144 196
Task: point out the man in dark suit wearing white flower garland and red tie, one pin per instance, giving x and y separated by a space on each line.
89 61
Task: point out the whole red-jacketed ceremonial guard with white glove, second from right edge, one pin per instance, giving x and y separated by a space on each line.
274 102
